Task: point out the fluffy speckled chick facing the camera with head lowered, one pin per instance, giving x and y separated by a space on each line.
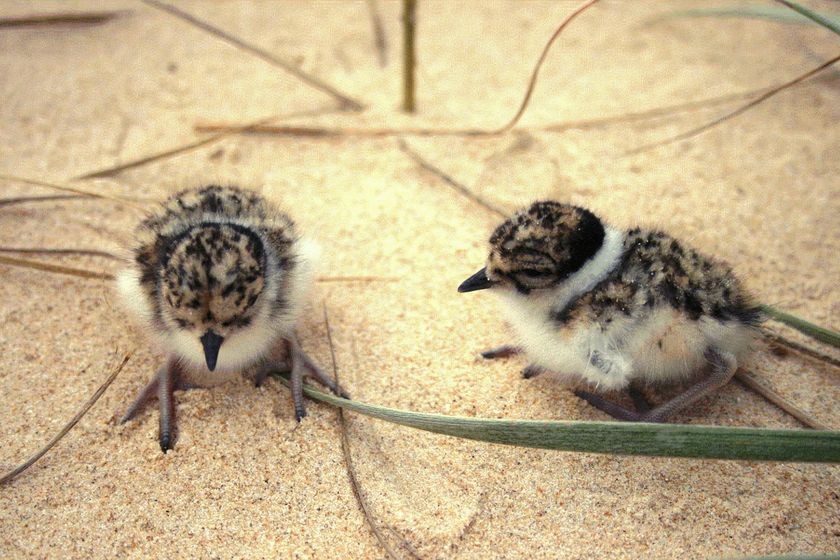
218 279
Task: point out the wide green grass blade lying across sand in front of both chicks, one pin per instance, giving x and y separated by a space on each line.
621 438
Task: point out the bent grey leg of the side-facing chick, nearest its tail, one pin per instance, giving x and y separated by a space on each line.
723 366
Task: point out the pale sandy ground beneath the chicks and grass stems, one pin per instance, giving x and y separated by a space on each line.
760 191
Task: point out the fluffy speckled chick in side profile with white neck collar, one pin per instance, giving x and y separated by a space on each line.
609 308
